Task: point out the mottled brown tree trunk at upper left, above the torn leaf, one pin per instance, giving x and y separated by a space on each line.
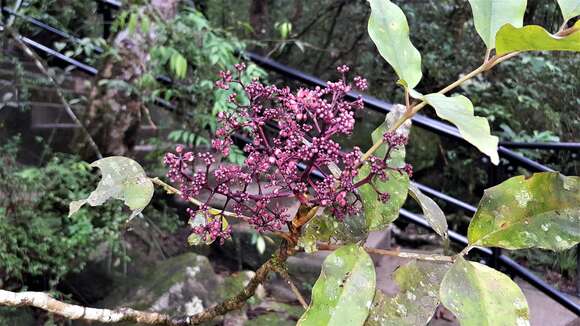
113 115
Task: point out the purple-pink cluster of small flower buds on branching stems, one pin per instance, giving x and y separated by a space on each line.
293 138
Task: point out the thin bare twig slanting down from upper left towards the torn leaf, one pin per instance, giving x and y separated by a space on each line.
43 68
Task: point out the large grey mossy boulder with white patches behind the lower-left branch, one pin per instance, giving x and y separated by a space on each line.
182 285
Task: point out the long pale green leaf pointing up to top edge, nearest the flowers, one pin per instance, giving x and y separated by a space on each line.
389 30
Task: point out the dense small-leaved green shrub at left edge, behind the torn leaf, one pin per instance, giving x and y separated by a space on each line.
38 239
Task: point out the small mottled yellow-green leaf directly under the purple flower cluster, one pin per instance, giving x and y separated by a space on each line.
326 227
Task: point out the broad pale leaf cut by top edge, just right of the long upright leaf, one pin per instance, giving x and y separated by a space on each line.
490 15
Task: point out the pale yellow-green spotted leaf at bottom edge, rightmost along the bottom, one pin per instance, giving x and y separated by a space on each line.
480 295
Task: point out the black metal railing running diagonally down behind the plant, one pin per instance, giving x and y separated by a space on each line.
378 105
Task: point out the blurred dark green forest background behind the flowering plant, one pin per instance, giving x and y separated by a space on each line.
129 110
